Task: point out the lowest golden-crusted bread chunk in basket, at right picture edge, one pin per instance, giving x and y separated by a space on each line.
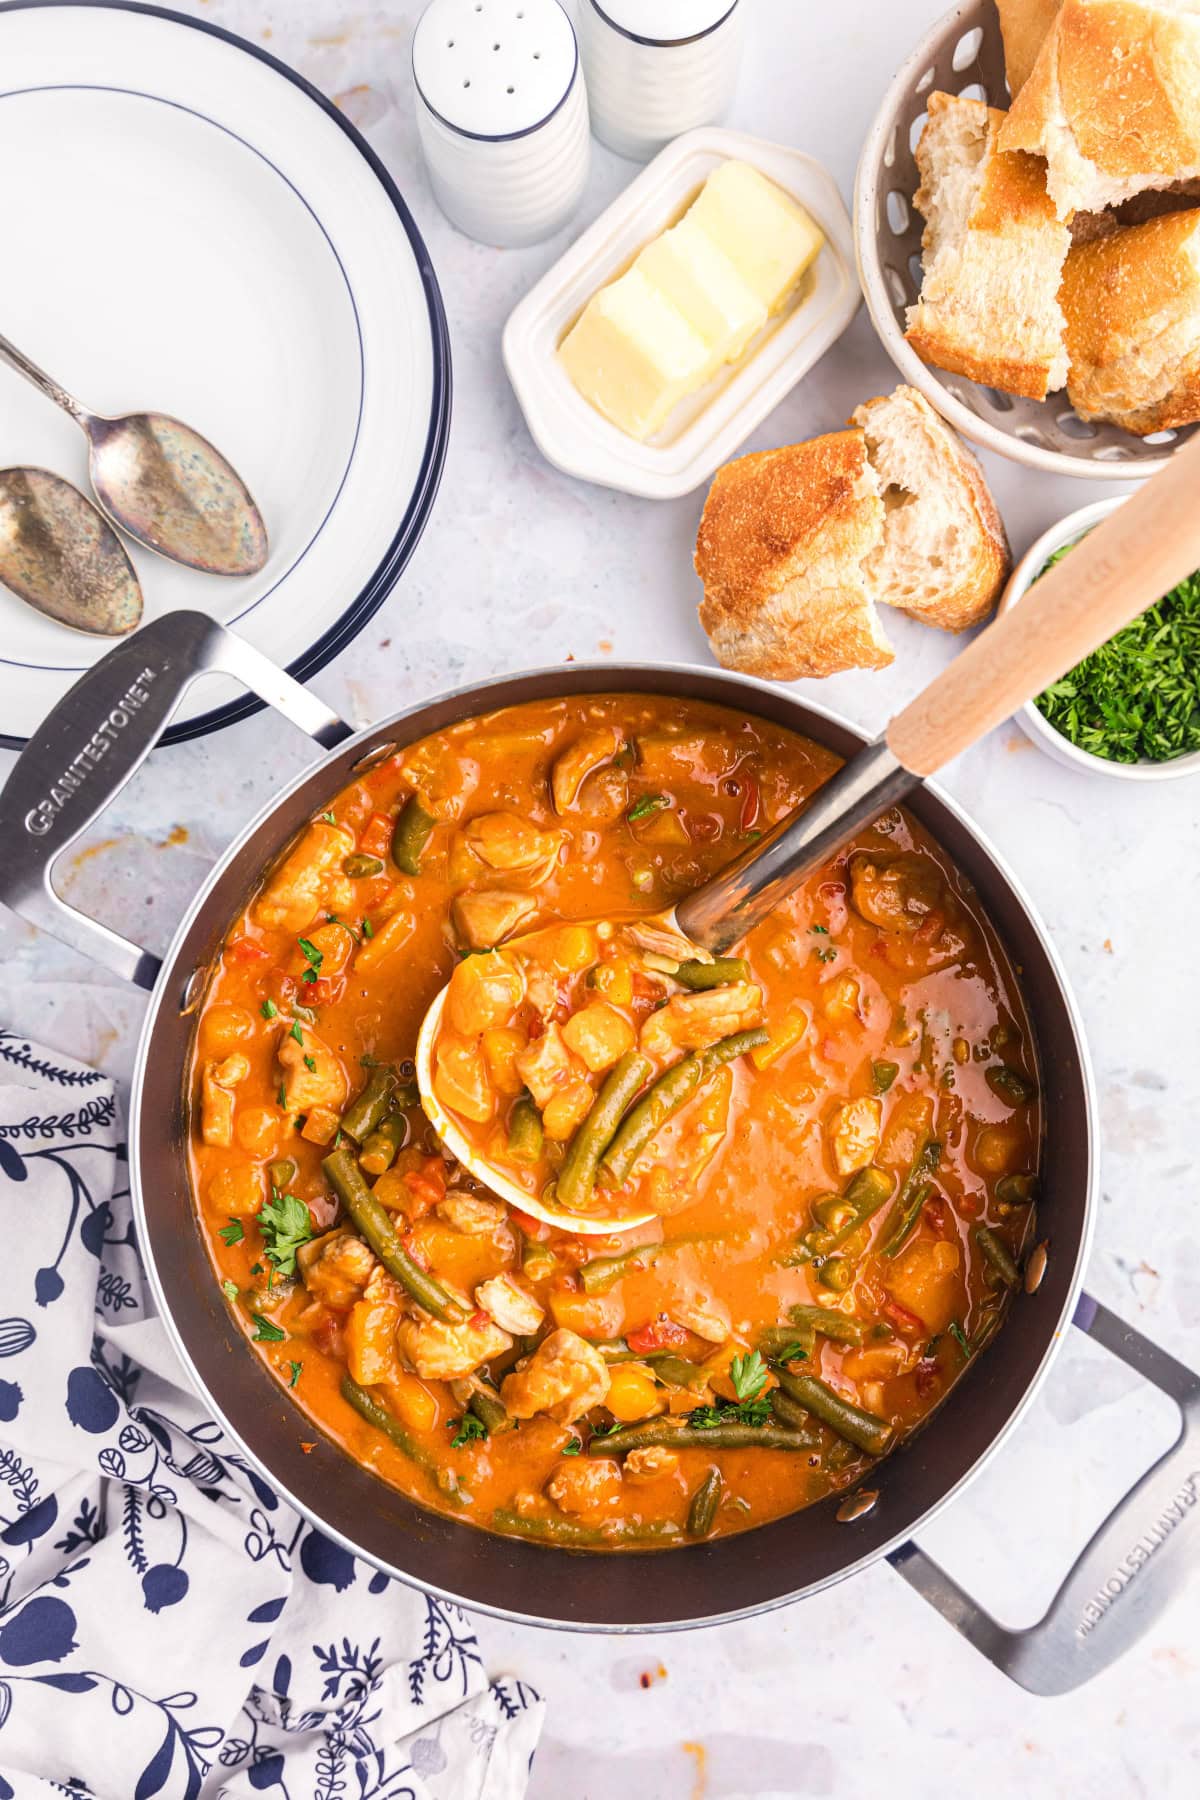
1133 305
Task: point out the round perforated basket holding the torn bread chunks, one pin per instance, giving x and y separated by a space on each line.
965 55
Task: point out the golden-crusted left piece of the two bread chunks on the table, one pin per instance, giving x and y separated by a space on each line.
780 552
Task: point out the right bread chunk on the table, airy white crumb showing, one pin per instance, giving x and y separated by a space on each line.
944 555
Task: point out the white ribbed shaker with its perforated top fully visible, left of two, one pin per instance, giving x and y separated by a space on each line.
503 116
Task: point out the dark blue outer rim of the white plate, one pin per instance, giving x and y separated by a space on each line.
429 476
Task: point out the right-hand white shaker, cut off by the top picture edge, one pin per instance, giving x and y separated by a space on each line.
658 67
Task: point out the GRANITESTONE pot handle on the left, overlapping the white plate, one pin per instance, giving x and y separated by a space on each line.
96 739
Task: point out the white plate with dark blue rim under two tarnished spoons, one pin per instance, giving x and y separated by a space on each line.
190 226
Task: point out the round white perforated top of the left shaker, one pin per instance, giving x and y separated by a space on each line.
494 67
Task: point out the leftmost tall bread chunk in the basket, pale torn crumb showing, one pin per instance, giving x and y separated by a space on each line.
994 256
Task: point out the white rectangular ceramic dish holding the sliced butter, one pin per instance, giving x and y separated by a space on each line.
710 426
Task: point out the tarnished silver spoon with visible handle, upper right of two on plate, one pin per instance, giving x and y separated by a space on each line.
163 483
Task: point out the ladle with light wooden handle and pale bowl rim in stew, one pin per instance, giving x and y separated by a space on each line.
1124 566
